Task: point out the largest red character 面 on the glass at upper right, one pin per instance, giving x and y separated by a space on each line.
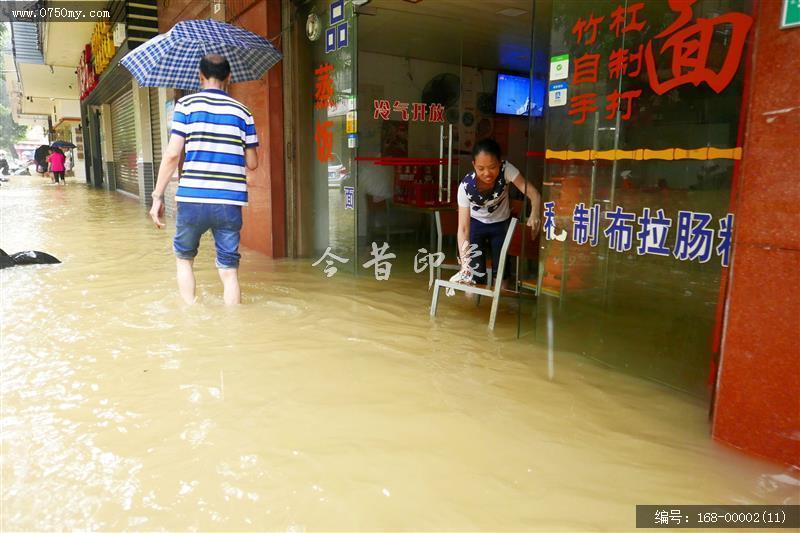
691 44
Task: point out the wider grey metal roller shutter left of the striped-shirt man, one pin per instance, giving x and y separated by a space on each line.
123 140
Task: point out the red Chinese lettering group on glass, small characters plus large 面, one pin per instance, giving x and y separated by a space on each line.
687 52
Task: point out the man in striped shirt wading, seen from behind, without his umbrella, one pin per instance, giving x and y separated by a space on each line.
220 140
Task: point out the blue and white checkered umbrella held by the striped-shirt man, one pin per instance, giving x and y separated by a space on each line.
172 59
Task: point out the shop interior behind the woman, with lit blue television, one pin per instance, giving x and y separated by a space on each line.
476 64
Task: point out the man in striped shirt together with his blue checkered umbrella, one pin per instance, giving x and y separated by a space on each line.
217 133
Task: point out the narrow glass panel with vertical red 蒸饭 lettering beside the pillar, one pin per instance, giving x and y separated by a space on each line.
322 218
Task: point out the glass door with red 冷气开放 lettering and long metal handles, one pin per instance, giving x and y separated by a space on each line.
417 120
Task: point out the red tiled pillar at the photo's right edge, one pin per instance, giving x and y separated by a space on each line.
757 407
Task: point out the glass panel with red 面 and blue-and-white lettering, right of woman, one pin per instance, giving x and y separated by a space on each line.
641 160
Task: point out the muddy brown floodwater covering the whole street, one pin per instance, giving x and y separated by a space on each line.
319 404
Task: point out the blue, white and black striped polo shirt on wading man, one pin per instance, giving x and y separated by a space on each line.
217 130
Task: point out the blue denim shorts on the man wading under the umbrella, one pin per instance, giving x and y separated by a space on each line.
225 223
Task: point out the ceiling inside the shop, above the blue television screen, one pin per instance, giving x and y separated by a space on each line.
472 32
